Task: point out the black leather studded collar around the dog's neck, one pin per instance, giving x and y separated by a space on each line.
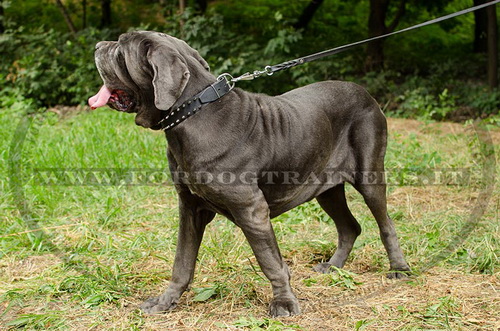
190 107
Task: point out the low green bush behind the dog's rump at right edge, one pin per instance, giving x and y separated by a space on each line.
438 96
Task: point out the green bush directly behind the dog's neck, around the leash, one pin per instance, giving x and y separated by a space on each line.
228 51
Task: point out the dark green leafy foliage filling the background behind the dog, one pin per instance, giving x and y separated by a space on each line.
430 73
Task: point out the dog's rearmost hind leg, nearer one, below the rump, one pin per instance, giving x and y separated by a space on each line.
375 197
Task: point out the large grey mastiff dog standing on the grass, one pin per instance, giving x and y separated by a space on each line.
294 145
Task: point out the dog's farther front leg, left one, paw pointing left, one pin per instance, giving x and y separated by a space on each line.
193 220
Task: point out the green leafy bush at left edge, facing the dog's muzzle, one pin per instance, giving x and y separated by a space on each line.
51 67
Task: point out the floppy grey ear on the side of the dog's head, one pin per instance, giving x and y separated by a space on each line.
170 76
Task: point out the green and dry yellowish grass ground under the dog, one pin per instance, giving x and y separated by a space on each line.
84 257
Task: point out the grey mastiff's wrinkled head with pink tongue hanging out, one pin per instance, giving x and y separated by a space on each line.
145 72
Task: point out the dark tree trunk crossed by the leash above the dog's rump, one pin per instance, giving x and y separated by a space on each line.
376 27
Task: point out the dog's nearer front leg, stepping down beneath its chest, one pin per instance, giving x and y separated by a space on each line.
253 219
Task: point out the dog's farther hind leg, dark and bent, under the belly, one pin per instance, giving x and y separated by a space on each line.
334 204
